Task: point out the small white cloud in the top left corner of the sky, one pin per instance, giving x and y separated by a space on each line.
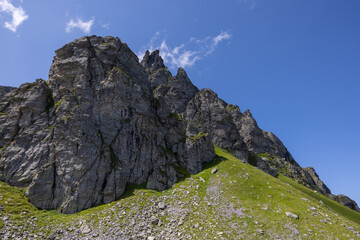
17 13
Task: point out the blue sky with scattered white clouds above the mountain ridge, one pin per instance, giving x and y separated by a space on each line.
294 63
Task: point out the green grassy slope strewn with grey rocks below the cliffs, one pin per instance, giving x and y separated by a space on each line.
237 202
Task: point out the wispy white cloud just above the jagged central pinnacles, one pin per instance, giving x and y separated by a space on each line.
186 54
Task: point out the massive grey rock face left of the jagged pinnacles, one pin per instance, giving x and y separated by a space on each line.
78 139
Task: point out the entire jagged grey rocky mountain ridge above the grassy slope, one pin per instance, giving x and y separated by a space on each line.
104 120
